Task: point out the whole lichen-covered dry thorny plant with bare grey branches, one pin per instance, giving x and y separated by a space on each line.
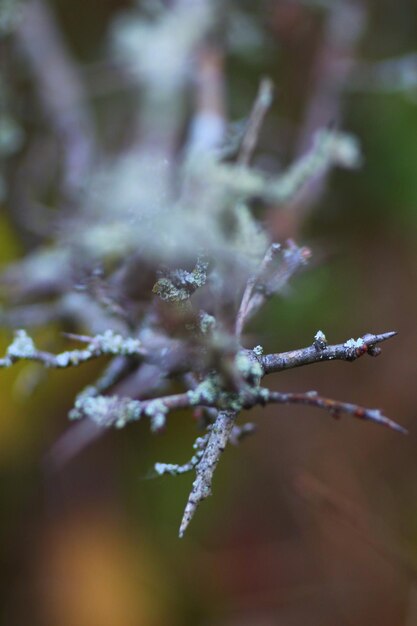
157 257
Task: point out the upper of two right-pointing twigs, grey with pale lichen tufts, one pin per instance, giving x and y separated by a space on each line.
320 351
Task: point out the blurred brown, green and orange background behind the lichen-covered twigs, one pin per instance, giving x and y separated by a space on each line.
313 521
